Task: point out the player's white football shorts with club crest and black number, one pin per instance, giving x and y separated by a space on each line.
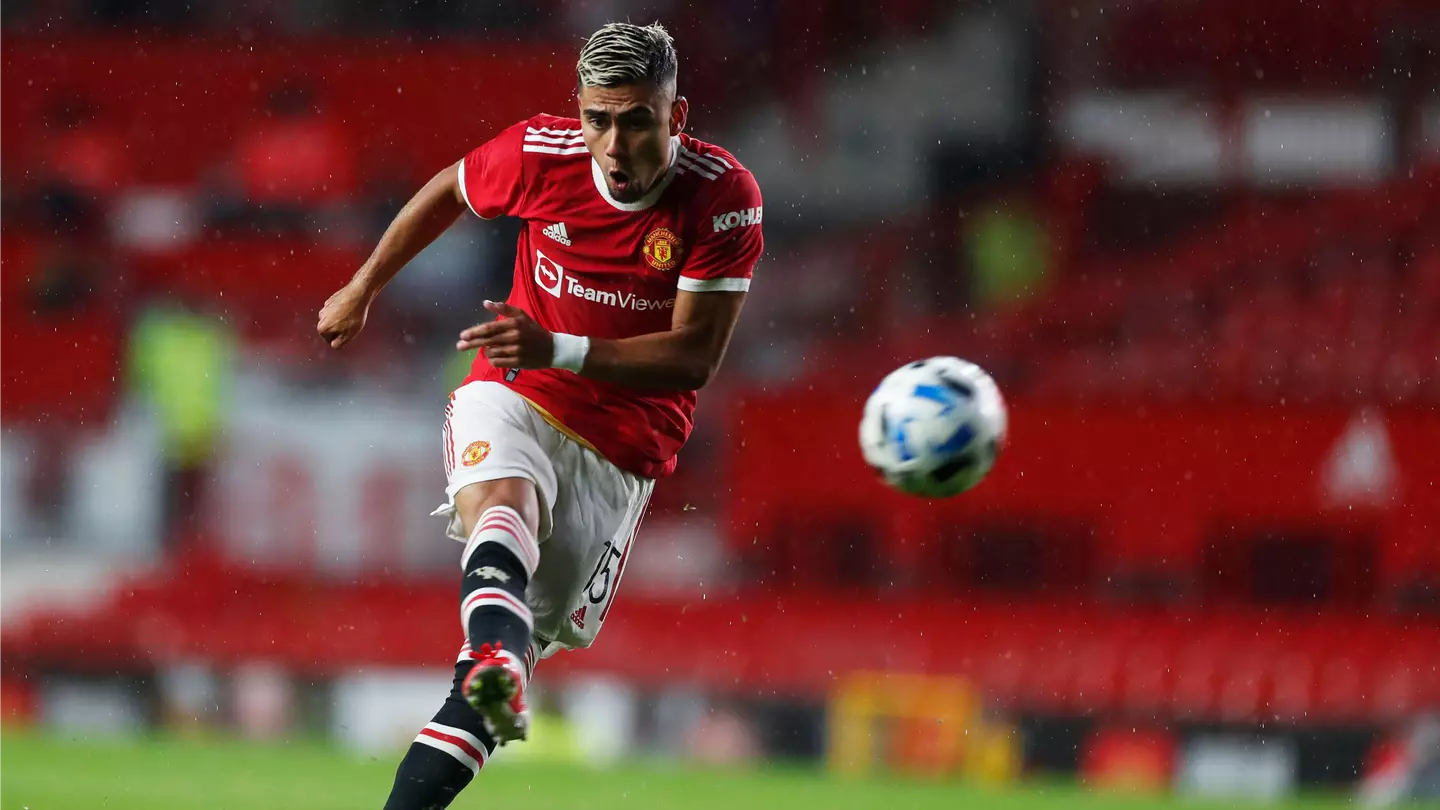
590 509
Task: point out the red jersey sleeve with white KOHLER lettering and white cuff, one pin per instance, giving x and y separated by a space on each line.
729 243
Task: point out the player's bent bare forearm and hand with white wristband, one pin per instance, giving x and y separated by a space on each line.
683 358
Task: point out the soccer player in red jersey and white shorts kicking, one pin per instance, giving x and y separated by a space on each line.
636 257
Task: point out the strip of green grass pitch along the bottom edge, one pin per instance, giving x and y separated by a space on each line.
57 773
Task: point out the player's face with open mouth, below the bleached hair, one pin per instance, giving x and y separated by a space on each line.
629 132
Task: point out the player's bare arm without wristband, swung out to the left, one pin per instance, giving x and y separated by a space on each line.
430 213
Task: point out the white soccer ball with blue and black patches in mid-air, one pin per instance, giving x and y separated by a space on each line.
934 427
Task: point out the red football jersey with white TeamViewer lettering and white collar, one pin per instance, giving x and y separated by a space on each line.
591 266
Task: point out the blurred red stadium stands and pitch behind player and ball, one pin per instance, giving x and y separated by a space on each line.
1196 241
